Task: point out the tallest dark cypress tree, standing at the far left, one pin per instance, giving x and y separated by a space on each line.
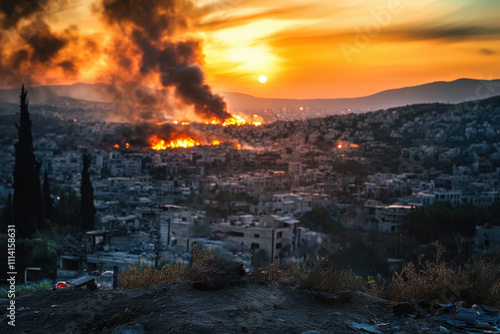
27 202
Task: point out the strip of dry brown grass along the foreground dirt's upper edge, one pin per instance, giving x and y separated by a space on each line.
477 282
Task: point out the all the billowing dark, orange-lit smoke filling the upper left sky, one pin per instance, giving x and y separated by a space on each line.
146 45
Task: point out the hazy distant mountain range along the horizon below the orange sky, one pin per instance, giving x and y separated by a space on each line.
444 92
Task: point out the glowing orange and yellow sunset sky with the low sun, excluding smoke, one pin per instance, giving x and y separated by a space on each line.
312 48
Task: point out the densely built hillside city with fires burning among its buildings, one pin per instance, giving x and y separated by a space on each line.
348 186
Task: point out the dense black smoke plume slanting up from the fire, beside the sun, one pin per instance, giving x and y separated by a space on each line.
177 62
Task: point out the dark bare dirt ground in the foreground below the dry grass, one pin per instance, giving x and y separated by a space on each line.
246 307
